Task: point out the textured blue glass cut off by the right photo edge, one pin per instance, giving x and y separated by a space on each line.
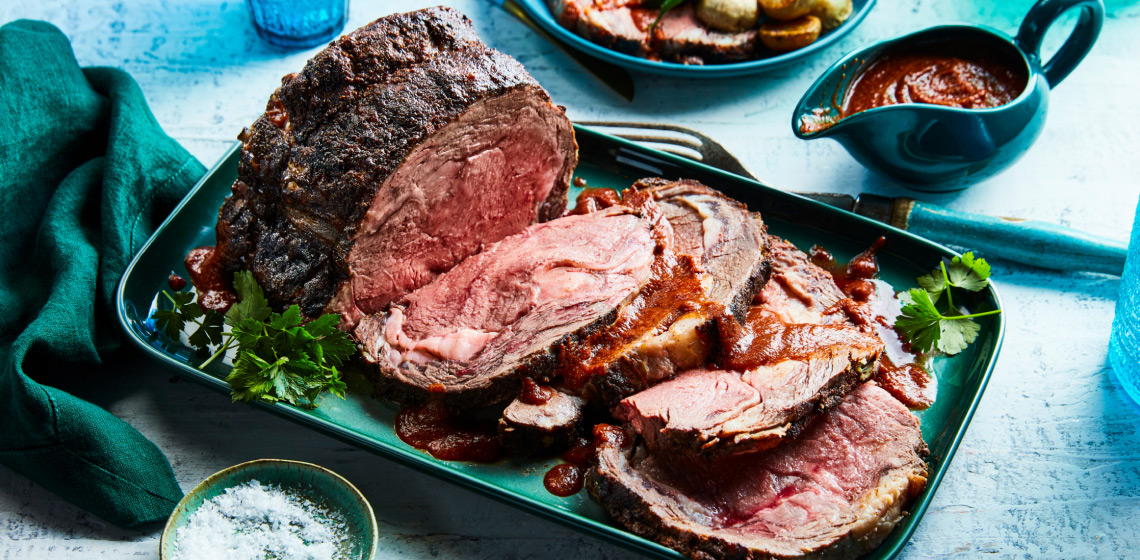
1125 344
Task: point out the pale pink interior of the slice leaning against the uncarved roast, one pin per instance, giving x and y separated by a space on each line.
557 271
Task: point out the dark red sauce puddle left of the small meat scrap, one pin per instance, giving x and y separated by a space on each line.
449 436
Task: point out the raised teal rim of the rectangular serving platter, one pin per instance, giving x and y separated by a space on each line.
983 354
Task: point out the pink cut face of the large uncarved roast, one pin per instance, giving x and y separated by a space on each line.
484 177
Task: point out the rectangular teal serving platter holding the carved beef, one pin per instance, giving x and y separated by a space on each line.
606 161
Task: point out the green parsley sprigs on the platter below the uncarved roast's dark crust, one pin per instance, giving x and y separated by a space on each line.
280 358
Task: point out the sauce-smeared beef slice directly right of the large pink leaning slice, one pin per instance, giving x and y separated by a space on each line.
670 327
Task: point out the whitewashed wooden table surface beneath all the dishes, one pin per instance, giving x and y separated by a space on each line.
1051 467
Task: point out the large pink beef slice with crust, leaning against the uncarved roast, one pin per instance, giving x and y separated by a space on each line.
469 337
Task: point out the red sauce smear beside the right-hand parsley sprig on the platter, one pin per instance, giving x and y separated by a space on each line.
900 371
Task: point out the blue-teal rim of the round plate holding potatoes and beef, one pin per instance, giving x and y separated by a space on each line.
542 15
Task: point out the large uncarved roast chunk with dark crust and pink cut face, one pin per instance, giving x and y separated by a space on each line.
402 149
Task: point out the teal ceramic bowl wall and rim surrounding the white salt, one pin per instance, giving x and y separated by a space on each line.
320 484
